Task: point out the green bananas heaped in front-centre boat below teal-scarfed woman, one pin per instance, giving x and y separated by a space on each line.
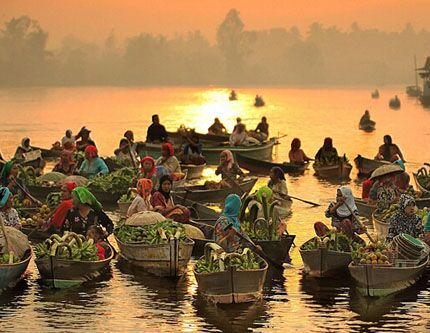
216 260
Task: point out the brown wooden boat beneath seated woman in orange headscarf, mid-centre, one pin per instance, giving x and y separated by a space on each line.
199 193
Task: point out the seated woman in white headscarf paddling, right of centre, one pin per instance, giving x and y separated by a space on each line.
344 212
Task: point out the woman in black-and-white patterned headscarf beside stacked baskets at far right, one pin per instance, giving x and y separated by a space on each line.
405 220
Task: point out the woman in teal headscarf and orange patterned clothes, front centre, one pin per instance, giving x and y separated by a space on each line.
228 223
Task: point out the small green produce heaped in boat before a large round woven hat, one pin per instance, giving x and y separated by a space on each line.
151 234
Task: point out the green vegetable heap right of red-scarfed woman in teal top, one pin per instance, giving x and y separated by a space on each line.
116 182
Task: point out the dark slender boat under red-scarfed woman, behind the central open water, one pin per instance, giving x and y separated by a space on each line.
261 167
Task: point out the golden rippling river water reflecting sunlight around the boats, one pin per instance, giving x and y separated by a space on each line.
129 300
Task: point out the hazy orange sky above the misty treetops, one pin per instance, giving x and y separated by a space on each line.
94 19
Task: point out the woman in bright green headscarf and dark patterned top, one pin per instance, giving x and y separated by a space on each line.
86 211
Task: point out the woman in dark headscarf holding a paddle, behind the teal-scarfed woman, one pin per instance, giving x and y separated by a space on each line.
278 185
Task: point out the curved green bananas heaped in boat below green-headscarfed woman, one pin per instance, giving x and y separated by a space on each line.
71 246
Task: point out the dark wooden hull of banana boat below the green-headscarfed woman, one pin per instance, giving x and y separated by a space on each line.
64 273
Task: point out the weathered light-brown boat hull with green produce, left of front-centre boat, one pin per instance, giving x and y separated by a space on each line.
166 260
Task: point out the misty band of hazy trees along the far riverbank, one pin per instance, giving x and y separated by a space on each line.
320 56
